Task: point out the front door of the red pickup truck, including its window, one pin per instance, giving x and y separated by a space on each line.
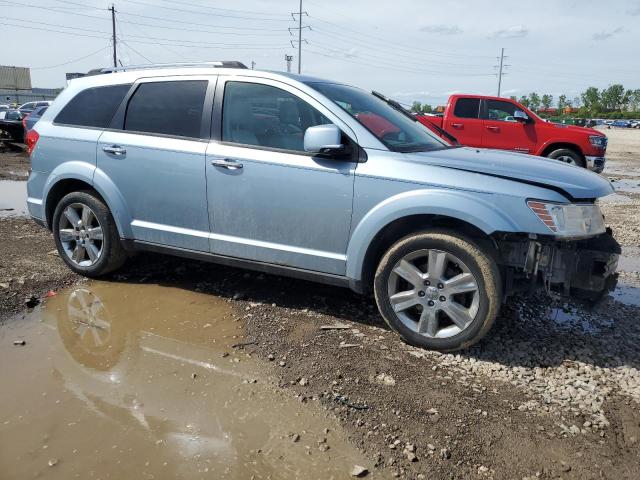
503 132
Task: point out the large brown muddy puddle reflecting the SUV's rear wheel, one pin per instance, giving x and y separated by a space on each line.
142 381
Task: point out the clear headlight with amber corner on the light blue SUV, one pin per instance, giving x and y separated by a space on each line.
569 220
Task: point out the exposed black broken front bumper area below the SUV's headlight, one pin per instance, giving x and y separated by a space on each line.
581 268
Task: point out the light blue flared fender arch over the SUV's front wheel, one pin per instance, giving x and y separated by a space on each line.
468 207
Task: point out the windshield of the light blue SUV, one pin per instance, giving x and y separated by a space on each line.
398 132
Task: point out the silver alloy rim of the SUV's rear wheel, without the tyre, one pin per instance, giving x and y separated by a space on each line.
81 234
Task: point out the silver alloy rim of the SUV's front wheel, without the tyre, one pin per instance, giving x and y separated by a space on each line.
433 293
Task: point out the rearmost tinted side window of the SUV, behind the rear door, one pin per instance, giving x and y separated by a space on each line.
93 107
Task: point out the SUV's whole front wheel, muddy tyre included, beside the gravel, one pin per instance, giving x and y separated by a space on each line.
438 290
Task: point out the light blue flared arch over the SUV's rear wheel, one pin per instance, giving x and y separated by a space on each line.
89 174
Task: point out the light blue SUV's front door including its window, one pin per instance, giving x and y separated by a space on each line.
269 200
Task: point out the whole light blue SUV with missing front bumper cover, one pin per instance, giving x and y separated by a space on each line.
313 179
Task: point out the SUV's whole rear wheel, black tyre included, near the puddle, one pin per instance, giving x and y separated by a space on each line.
86 235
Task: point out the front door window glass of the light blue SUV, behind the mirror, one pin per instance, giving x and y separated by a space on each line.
266 116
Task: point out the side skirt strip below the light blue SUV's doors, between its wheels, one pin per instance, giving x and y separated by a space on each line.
310 275
